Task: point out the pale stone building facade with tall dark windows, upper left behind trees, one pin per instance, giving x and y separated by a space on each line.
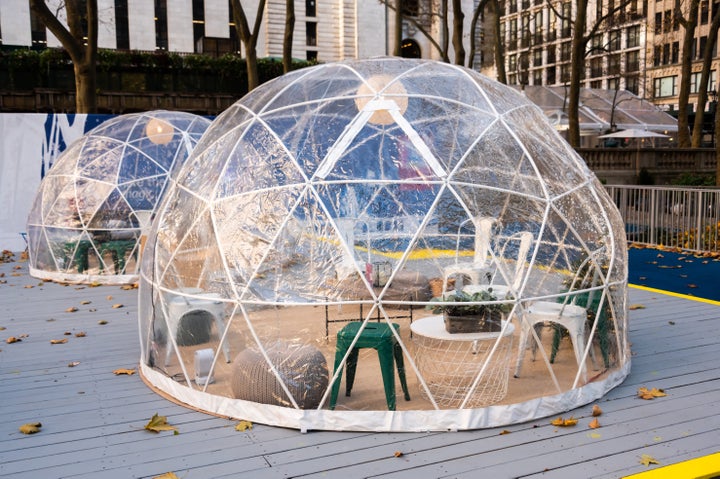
325 30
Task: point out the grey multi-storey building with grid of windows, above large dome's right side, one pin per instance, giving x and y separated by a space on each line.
537 38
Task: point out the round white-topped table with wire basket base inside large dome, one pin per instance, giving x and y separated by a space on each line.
450 362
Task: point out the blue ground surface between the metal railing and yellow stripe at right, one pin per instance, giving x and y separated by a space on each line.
679 272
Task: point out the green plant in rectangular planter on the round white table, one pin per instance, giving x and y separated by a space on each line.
470 313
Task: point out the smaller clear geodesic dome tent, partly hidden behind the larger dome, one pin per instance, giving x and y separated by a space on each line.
94 207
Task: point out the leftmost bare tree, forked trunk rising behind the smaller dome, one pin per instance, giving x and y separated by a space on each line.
82 50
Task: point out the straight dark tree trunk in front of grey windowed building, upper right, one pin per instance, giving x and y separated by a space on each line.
577 65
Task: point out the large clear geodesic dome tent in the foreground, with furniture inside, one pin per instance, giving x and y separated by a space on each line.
304 277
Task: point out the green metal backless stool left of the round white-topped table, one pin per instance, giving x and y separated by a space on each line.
378 336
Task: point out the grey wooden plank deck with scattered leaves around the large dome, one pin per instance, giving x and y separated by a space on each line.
93 421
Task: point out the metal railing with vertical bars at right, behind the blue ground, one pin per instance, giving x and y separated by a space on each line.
682 217
